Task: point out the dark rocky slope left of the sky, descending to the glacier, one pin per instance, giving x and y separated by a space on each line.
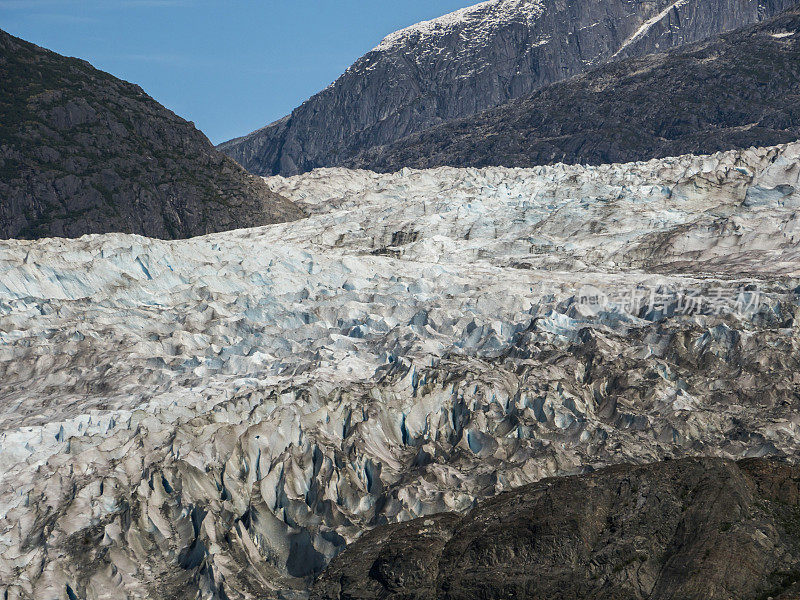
84 152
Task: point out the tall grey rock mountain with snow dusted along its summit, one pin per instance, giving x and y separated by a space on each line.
474 59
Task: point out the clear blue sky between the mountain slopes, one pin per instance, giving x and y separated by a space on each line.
231 66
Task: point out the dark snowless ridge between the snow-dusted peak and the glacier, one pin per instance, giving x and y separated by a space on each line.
738 90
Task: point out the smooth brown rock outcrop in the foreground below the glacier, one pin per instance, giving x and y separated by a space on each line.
689 529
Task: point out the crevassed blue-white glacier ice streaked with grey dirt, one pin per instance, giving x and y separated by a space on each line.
220 417
